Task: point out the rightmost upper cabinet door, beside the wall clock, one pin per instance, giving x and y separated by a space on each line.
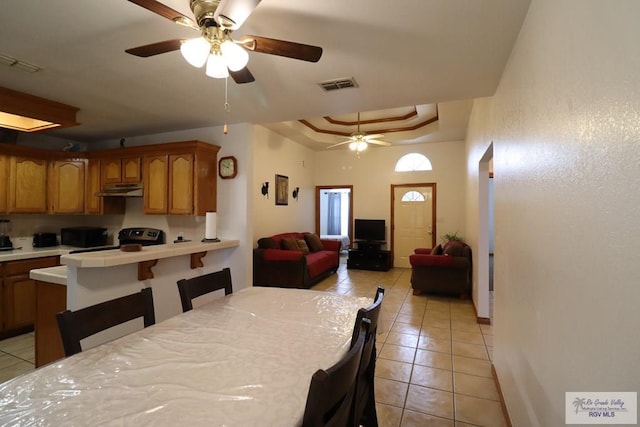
181 184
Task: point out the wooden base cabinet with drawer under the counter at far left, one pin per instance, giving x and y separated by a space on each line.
19 294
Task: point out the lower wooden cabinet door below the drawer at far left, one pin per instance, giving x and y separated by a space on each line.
19 299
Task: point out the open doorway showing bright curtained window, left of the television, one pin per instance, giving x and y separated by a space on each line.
334 213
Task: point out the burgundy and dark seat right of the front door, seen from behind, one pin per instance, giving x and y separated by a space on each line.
443 270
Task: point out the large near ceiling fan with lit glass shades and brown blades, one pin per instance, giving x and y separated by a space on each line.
216 20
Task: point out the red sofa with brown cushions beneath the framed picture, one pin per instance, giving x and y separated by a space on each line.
294 260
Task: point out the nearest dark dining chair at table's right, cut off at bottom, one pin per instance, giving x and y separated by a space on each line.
331 392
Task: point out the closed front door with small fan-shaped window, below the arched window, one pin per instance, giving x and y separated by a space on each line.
413 222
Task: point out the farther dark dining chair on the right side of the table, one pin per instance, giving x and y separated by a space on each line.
364 409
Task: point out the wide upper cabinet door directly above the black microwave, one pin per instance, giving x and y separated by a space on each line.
66 186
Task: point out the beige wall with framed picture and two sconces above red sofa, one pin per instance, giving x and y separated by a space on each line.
274 154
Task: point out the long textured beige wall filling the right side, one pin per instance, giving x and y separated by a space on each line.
565 127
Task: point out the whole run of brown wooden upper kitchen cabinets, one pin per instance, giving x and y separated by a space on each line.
178 179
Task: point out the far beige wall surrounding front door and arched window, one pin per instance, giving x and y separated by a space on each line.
373 173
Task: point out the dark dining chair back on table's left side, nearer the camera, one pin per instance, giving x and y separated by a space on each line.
79 324
